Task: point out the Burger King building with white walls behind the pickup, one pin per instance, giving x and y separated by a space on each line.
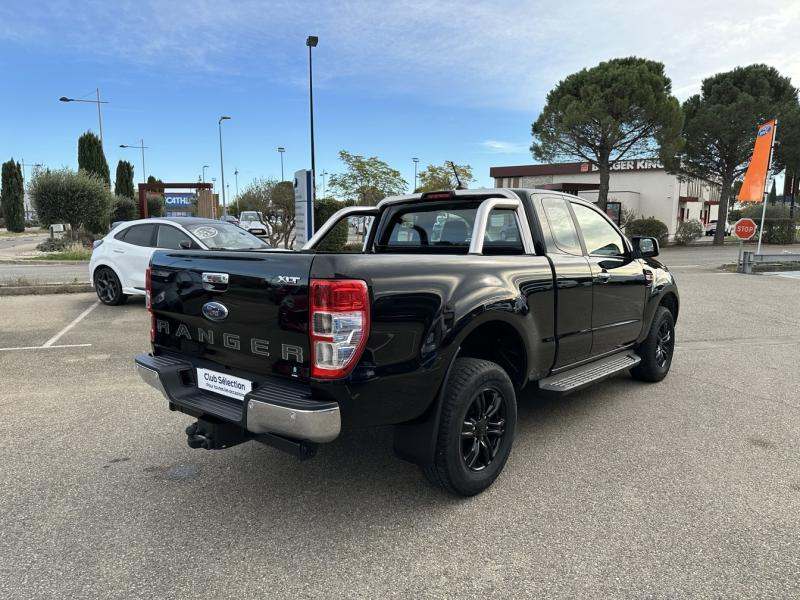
639 185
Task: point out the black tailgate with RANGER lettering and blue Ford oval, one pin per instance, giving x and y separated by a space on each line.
244 311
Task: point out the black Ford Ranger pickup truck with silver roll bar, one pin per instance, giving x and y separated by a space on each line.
454 303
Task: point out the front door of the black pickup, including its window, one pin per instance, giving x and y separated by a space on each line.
618 282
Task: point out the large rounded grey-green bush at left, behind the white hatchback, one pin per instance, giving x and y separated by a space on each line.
79 199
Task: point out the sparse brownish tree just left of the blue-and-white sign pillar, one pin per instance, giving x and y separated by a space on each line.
275 200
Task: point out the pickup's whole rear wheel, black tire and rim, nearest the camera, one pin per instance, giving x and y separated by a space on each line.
476 430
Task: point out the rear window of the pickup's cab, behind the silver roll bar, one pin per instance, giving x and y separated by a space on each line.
448 229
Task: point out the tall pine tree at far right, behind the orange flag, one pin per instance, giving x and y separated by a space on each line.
721 122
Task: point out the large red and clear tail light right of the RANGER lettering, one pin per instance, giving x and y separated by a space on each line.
338 324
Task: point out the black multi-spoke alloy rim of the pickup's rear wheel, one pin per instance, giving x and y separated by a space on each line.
483 429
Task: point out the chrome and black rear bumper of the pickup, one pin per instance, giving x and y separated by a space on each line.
275 406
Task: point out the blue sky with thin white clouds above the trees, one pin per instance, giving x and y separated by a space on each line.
438 80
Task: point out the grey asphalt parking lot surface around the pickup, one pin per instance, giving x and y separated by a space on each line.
687 488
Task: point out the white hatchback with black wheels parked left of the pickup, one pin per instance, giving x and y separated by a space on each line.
120 259
